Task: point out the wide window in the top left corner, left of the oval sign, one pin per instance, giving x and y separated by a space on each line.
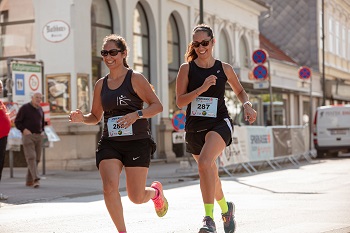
17 35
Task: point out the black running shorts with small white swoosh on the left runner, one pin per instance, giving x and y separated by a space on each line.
134 153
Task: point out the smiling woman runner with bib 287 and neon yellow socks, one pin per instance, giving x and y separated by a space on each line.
200 85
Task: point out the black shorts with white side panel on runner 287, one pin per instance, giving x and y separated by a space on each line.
195 140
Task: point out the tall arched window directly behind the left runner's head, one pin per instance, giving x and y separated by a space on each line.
101 26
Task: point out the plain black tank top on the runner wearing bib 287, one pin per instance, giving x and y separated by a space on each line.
196 77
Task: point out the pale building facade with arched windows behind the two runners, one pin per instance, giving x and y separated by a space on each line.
66 36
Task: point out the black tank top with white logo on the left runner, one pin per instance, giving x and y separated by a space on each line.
120 102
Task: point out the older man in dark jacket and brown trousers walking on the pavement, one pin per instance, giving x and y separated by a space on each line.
30 121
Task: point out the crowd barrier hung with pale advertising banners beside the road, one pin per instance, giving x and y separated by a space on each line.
267 145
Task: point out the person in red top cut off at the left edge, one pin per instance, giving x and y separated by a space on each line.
4 132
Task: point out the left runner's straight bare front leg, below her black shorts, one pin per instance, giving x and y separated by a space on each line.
110 173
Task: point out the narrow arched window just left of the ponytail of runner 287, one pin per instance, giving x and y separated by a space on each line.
173 60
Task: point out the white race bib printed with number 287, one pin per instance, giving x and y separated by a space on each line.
204 106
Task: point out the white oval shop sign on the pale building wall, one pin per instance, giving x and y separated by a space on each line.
56 31
